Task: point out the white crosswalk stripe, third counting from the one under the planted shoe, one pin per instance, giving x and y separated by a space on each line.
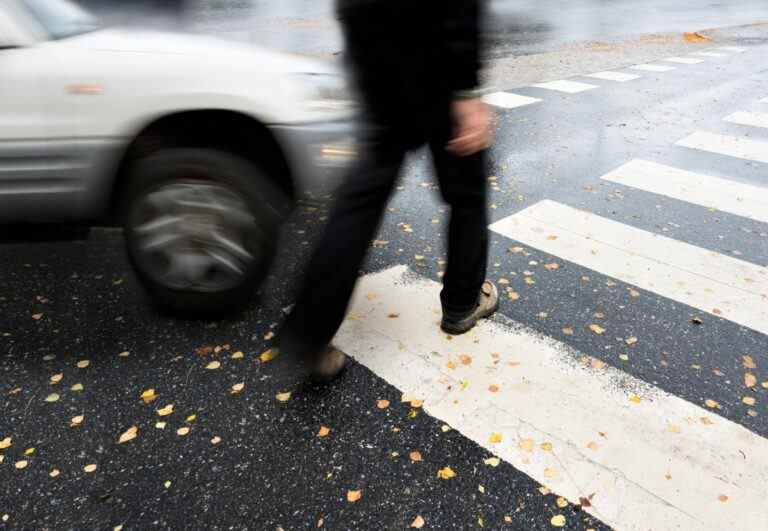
711 192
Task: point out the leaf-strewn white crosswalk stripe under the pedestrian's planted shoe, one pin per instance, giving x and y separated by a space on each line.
646 455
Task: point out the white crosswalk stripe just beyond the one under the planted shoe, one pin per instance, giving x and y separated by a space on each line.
711 282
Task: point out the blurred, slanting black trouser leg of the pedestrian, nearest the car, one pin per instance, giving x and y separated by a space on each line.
333 269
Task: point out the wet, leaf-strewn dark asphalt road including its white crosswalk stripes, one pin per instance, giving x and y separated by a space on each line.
624 383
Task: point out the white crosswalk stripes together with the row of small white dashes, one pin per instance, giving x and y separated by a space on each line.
646 458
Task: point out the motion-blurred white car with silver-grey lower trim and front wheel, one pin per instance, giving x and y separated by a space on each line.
195 146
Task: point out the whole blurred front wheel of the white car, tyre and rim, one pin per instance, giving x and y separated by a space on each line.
201 229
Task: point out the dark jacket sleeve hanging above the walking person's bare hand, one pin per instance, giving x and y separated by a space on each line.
462 37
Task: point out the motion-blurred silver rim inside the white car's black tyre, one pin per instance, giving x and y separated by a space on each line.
195 236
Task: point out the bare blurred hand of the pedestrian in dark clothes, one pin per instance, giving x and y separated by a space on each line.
472 129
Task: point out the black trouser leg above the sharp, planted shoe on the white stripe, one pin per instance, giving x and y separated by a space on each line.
463 186
